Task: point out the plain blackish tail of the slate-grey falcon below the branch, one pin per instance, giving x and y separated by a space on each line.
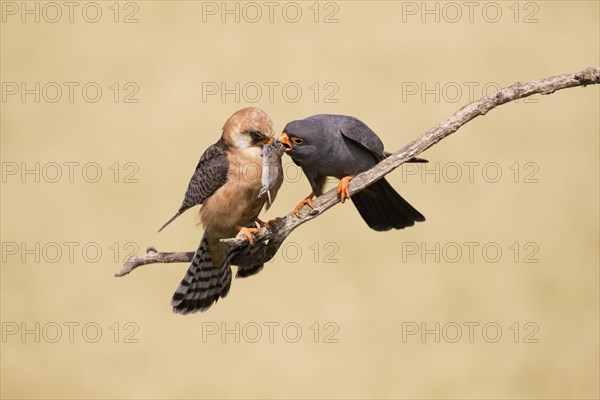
383 208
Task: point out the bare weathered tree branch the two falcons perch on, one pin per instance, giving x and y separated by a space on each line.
271 238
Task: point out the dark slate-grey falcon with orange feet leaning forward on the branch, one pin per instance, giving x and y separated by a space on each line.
342 146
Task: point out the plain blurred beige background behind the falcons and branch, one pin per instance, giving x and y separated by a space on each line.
344 312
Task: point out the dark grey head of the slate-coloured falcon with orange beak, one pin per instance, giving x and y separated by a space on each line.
303 141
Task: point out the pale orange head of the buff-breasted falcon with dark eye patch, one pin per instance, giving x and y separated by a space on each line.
248 127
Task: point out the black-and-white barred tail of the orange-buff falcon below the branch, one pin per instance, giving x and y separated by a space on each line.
204 283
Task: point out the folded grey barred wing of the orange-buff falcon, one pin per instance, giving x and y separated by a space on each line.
210 175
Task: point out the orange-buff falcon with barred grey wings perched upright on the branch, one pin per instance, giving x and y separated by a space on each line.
227 182
